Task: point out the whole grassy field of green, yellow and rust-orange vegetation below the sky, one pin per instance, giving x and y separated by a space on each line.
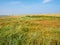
30 30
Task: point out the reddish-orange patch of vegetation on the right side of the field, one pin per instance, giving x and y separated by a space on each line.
50 23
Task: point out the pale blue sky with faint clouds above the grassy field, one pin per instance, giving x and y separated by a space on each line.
10 7
